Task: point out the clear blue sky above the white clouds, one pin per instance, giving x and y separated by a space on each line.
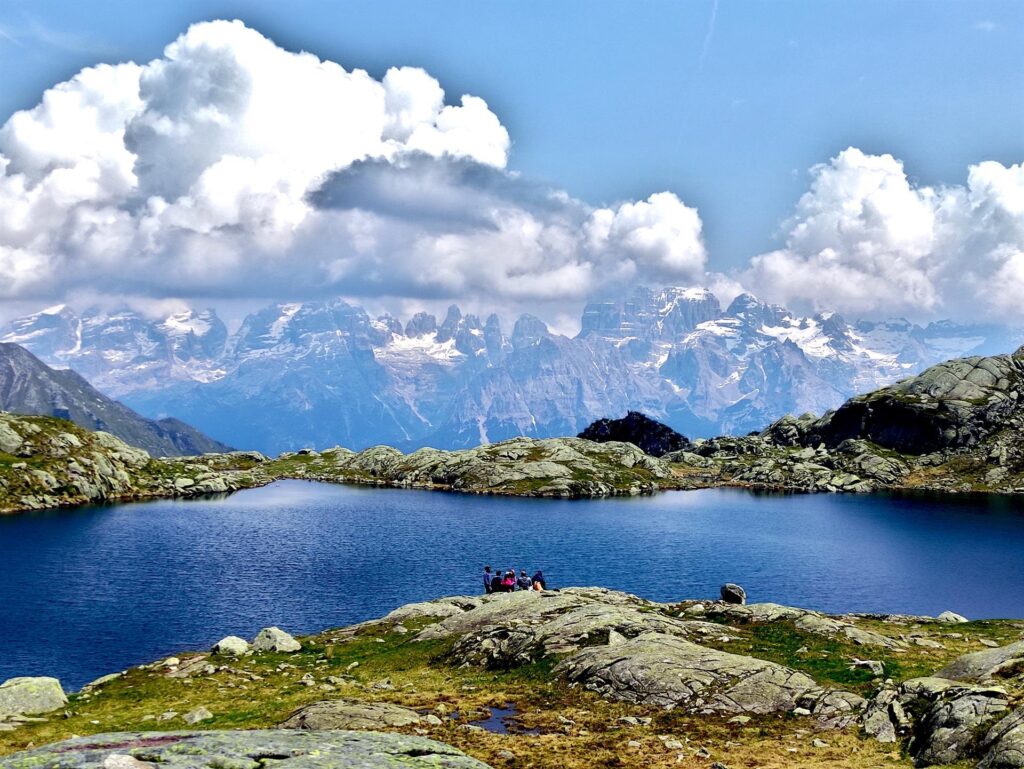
610 100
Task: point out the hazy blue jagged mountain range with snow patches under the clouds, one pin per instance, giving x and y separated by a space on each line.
320 374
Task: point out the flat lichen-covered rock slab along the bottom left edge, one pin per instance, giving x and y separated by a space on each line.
246 750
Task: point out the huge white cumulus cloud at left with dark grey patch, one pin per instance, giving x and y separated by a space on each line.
233 167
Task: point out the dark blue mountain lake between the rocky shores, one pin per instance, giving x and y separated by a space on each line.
92 591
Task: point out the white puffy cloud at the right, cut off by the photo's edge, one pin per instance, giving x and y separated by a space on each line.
866 240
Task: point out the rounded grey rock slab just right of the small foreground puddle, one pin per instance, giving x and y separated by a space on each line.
669 672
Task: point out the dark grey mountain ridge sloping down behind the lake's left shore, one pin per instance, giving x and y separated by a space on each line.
28 387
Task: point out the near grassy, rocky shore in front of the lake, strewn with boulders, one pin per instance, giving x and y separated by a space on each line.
583 677
